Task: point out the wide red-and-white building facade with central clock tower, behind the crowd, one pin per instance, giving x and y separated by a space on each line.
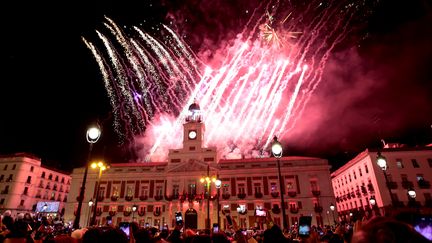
159 189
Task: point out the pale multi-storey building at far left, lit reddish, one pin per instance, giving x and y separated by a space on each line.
22 185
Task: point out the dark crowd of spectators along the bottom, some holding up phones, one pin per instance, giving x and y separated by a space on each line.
25 228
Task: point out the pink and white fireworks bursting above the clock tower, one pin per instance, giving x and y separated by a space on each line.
258 89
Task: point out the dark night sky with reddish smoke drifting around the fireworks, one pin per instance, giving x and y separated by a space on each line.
51 88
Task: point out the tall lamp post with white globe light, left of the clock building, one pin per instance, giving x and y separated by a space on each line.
92 135
